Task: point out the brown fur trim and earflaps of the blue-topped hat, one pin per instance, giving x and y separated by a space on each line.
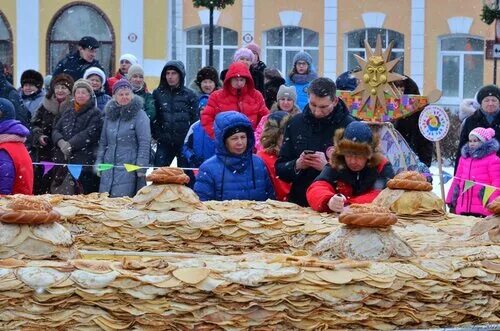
344 146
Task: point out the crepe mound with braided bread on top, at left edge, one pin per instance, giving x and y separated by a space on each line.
29 229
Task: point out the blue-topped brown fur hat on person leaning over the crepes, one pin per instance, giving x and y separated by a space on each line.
356 139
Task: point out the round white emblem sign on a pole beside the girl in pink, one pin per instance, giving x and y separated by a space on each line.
434 124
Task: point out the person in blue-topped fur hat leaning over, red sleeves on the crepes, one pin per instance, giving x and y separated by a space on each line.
356 173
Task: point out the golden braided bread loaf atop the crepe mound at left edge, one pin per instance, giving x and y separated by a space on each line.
29 210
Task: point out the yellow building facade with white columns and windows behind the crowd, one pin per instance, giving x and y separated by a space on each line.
441 43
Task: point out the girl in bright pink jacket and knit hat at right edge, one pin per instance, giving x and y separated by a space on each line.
479 164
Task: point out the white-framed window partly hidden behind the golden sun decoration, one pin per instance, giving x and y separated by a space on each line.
356 45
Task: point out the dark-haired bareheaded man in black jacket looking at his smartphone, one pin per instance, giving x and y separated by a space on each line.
308 136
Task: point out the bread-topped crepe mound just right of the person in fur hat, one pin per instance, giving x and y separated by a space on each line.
410 196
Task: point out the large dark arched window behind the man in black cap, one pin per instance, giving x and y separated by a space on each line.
70 25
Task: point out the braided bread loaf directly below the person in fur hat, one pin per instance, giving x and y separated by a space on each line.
368 215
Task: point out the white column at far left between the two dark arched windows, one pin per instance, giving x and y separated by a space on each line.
27 39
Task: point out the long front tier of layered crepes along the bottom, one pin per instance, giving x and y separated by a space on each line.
261 291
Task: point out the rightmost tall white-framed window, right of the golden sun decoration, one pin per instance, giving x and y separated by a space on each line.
461 67
